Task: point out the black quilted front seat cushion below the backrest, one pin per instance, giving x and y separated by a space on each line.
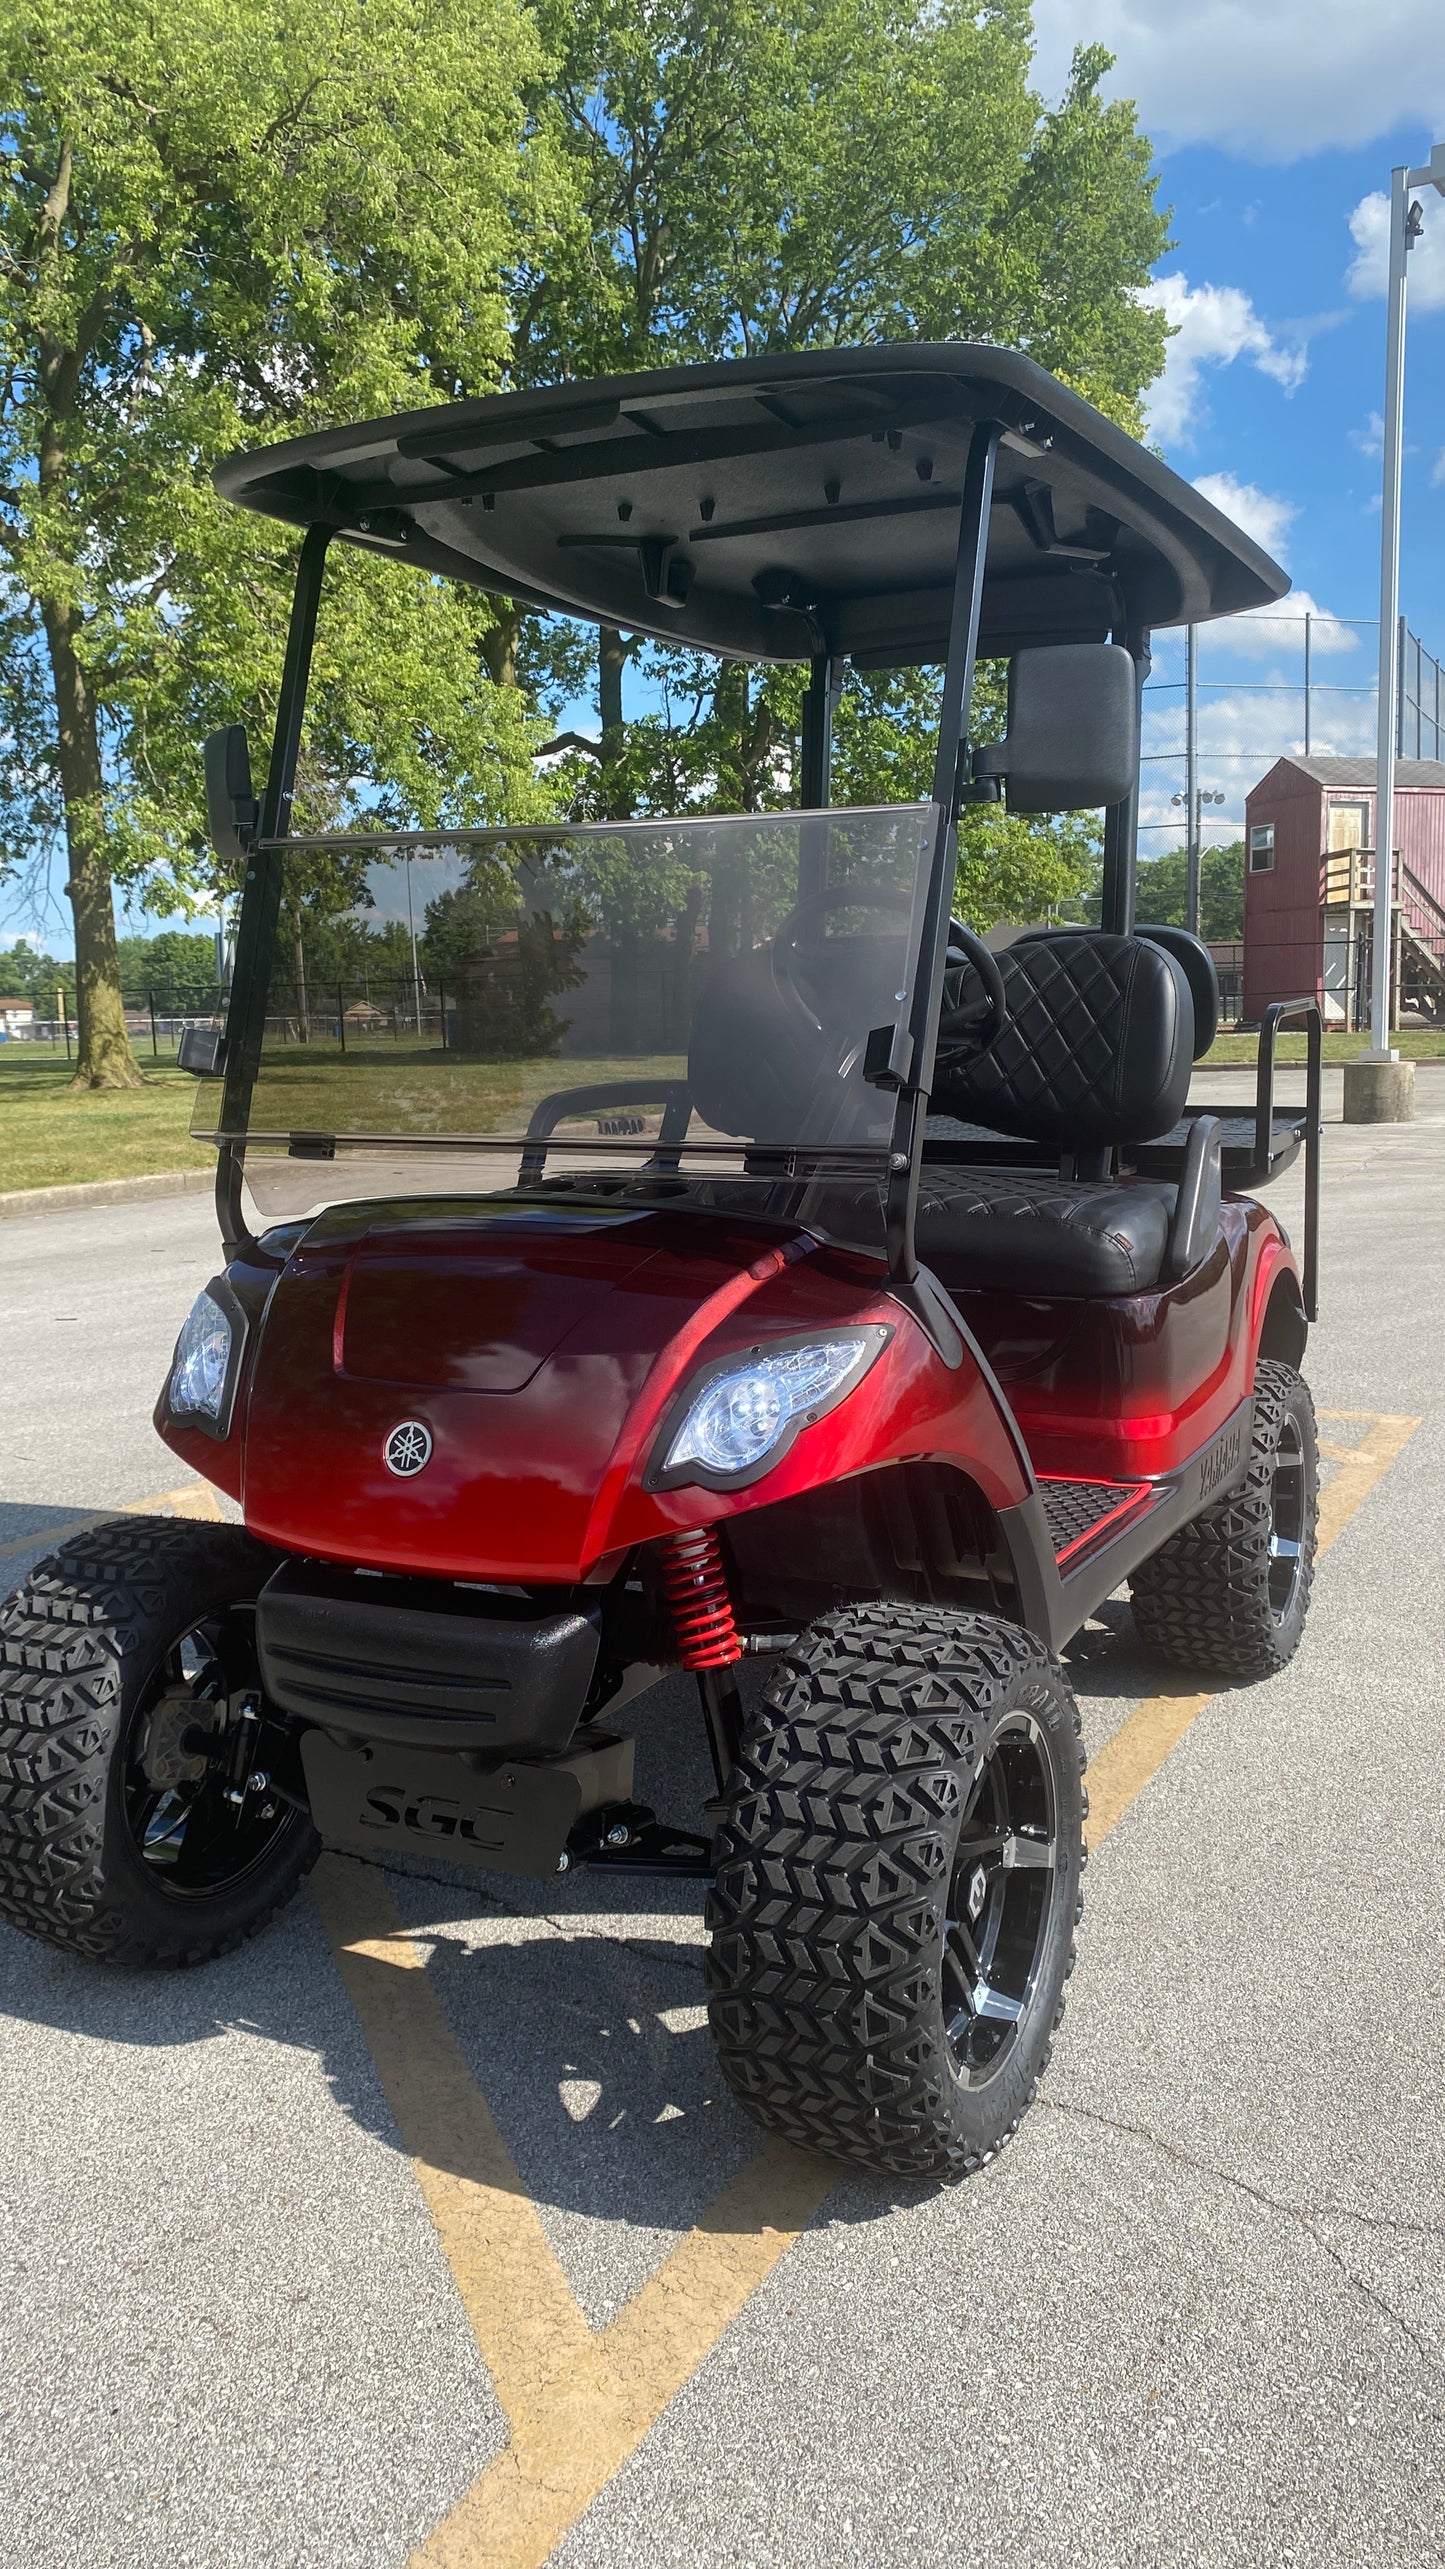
1037 1234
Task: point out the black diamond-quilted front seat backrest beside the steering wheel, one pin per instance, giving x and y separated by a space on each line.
1097 1049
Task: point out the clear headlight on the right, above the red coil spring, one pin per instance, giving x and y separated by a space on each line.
749 1409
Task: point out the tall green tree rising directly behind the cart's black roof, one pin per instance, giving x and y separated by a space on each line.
762 176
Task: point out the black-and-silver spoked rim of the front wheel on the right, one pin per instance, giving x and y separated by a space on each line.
1001 1900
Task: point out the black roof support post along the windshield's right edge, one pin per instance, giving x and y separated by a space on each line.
940 890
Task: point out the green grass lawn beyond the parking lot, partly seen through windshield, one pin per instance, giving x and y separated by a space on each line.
53 1134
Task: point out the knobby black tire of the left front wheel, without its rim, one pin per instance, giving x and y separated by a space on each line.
84 1653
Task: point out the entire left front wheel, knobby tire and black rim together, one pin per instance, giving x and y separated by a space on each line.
140 1815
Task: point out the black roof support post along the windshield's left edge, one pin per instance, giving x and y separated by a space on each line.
261 893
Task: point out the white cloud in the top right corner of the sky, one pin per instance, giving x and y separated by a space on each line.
1271 83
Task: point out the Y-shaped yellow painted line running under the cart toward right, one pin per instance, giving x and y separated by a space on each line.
580 2401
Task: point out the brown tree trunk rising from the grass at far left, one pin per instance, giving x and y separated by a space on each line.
104 1047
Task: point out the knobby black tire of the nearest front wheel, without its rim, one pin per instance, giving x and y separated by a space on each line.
834 1859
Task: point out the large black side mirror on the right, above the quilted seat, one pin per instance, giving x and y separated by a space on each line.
1073 728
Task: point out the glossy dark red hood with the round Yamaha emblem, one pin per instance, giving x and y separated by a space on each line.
539 1350
